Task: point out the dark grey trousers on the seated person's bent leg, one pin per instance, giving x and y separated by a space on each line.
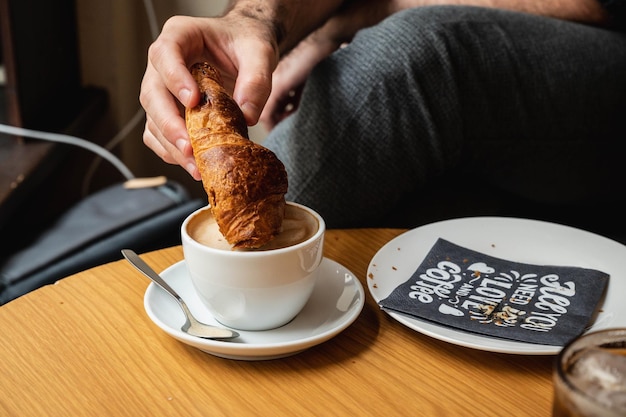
532 106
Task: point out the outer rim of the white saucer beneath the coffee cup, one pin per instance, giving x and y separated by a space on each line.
256 351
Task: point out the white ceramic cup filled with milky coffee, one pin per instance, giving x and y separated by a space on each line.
255 290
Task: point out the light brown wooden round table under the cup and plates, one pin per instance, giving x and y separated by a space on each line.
85 347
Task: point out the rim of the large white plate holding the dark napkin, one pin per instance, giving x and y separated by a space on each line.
456 336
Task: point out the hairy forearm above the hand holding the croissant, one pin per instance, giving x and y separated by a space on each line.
289 20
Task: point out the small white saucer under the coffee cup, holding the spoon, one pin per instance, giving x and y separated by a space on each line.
337 300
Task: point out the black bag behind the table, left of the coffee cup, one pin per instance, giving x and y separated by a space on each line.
94 231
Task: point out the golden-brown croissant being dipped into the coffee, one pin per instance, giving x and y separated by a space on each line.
244 181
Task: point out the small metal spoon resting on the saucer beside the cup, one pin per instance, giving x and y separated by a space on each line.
191 326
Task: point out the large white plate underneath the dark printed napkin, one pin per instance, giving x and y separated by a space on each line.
519 240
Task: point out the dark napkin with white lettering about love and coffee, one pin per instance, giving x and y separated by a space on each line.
468 290
